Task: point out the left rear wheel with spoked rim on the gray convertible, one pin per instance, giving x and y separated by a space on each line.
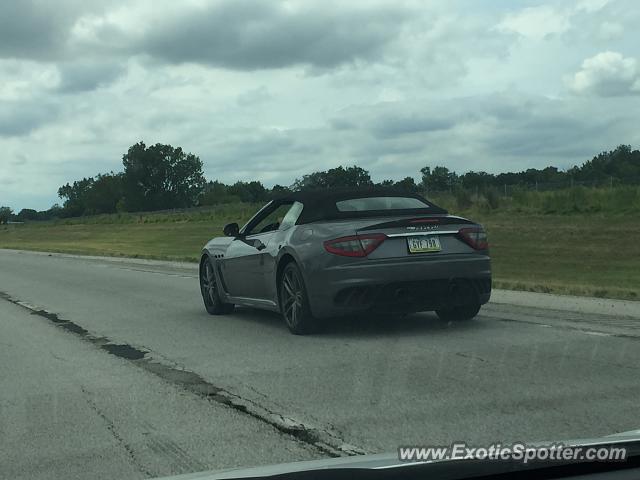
294 303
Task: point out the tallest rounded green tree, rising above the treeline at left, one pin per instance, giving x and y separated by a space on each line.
161 177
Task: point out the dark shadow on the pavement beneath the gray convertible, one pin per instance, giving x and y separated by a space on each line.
367 325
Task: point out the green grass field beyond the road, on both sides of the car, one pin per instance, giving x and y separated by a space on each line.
582 254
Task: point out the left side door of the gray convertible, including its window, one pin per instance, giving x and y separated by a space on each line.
245 258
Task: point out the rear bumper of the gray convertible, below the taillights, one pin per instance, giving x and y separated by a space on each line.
399 285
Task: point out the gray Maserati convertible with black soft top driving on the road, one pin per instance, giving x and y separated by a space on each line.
313 255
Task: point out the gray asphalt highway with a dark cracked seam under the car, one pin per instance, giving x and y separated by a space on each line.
111 368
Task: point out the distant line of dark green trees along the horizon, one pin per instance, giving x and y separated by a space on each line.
161 177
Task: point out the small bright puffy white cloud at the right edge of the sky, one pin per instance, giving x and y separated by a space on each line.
607 74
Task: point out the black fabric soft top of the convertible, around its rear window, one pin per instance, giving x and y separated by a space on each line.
321 204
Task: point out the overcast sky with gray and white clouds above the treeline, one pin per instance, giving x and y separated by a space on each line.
272 90
